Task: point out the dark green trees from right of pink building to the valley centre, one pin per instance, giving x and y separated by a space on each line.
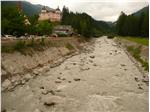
84 24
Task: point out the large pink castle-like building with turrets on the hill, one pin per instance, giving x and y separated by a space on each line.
54 15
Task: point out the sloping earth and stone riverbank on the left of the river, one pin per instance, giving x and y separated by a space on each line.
21 65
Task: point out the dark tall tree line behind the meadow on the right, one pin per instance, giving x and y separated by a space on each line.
133 25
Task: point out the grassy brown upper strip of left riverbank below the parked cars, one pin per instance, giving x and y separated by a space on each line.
39 44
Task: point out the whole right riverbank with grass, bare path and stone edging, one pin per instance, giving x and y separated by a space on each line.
137 48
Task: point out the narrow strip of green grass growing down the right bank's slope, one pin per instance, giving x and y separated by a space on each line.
135 52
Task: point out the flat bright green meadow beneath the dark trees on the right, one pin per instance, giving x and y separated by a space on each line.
140 40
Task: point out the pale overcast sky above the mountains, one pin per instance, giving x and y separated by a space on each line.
107 10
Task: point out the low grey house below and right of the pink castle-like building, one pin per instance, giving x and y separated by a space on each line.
63 29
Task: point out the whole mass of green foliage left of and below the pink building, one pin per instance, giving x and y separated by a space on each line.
13 22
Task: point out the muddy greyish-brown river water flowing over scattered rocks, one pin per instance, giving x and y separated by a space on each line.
101 80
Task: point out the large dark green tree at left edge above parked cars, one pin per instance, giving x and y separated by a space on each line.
12 21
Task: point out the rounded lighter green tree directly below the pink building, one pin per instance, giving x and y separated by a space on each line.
44 28
